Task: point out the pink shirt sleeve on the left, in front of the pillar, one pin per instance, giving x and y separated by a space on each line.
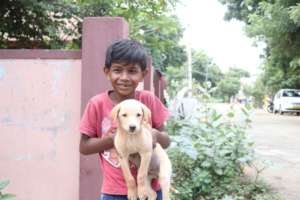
88 123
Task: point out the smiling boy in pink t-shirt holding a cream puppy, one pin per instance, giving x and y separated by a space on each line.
125 67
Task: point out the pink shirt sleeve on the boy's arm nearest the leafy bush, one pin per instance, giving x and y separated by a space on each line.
160 113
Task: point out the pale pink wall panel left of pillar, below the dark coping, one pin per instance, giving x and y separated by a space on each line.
39 117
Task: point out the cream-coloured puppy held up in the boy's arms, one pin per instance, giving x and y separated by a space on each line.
134 135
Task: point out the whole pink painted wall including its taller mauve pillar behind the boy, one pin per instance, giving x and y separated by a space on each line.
43 93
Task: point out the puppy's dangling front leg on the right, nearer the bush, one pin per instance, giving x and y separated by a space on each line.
142 175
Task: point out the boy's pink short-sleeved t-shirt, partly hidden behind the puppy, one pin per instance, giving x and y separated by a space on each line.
96 122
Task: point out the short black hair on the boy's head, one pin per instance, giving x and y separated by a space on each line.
126 51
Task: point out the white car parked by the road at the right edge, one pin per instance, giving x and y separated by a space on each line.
287 100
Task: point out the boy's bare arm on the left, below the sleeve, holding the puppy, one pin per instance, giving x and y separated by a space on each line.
89 145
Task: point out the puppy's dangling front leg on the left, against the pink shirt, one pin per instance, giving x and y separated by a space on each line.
130 181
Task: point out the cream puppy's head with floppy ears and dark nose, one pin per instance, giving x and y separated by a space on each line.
130 115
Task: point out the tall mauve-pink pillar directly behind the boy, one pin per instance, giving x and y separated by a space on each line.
98 34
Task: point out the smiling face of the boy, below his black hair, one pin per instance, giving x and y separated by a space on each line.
125 78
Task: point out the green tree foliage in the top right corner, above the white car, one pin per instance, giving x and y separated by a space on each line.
277 24
